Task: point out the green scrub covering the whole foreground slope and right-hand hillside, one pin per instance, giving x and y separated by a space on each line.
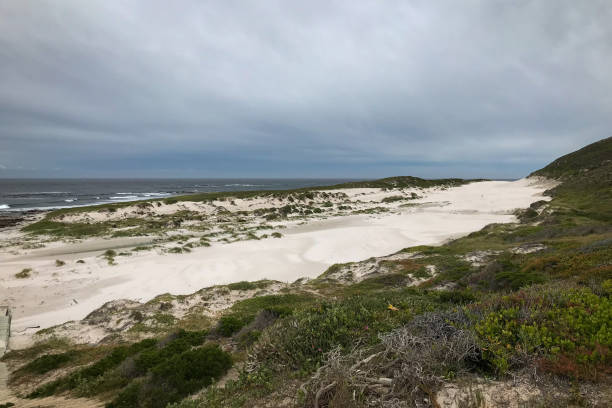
529 301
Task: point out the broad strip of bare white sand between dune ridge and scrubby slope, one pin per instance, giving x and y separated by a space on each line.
54 295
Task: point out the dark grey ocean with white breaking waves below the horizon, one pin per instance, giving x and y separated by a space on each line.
45 194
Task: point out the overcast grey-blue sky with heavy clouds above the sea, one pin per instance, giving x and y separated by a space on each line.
266 88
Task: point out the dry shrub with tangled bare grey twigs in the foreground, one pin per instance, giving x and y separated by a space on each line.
406 366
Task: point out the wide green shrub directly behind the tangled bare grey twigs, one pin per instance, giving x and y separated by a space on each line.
300 341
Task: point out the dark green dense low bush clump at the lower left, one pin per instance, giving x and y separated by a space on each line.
137 373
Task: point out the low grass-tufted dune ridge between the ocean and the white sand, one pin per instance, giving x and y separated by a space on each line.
303 202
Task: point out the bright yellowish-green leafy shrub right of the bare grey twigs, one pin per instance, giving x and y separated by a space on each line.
568 328
